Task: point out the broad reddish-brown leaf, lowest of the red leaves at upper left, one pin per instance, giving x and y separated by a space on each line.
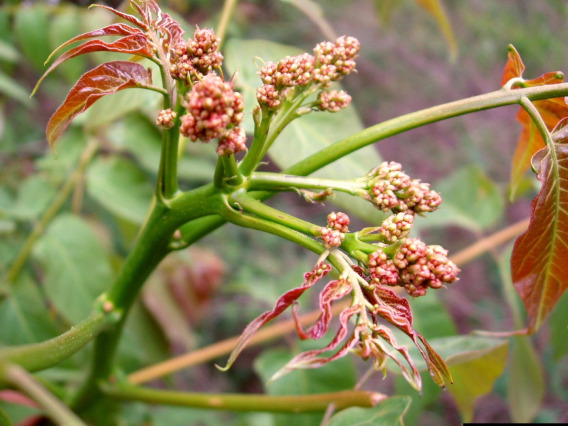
103 80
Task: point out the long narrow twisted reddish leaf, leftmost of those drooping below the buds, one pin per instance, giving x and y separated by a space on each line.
283 302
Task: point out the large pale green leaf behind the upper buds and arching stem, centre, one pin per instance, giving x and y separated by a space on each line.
308 134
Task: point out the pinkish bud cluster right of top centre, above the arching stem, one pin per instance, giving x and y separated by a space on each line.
330 62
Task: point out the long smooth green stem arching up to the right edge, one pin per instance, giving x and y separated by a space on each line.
420 118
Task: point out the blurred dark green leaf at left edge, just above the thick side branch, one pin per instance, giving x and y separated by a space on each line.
24 315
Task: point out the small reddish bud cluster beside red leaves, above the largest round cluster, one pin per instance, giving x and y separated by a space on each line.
197 57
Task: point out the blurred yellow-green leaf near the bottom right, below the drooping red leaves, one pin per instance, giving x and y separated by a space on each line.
475 377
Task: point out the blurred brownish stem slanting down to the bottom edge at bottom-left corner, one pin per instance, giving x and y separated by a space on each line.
54 408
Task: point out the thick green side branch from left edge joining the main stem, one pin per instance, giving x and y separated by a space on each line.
39 356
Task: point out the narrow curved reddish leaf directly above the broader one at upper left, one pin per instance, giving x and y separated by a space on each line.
133 44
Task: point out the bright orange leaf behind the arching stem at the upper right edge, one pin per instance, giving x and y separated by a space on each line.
551 110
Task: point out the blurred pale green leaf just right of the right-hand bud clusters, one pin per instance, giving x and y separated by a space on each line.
467 187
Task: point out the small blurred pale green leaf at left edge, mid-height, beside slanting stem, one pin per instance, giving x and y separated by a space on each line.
34 196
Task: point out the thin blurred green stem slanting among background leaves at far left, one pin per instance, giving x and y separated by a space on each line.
52 210
